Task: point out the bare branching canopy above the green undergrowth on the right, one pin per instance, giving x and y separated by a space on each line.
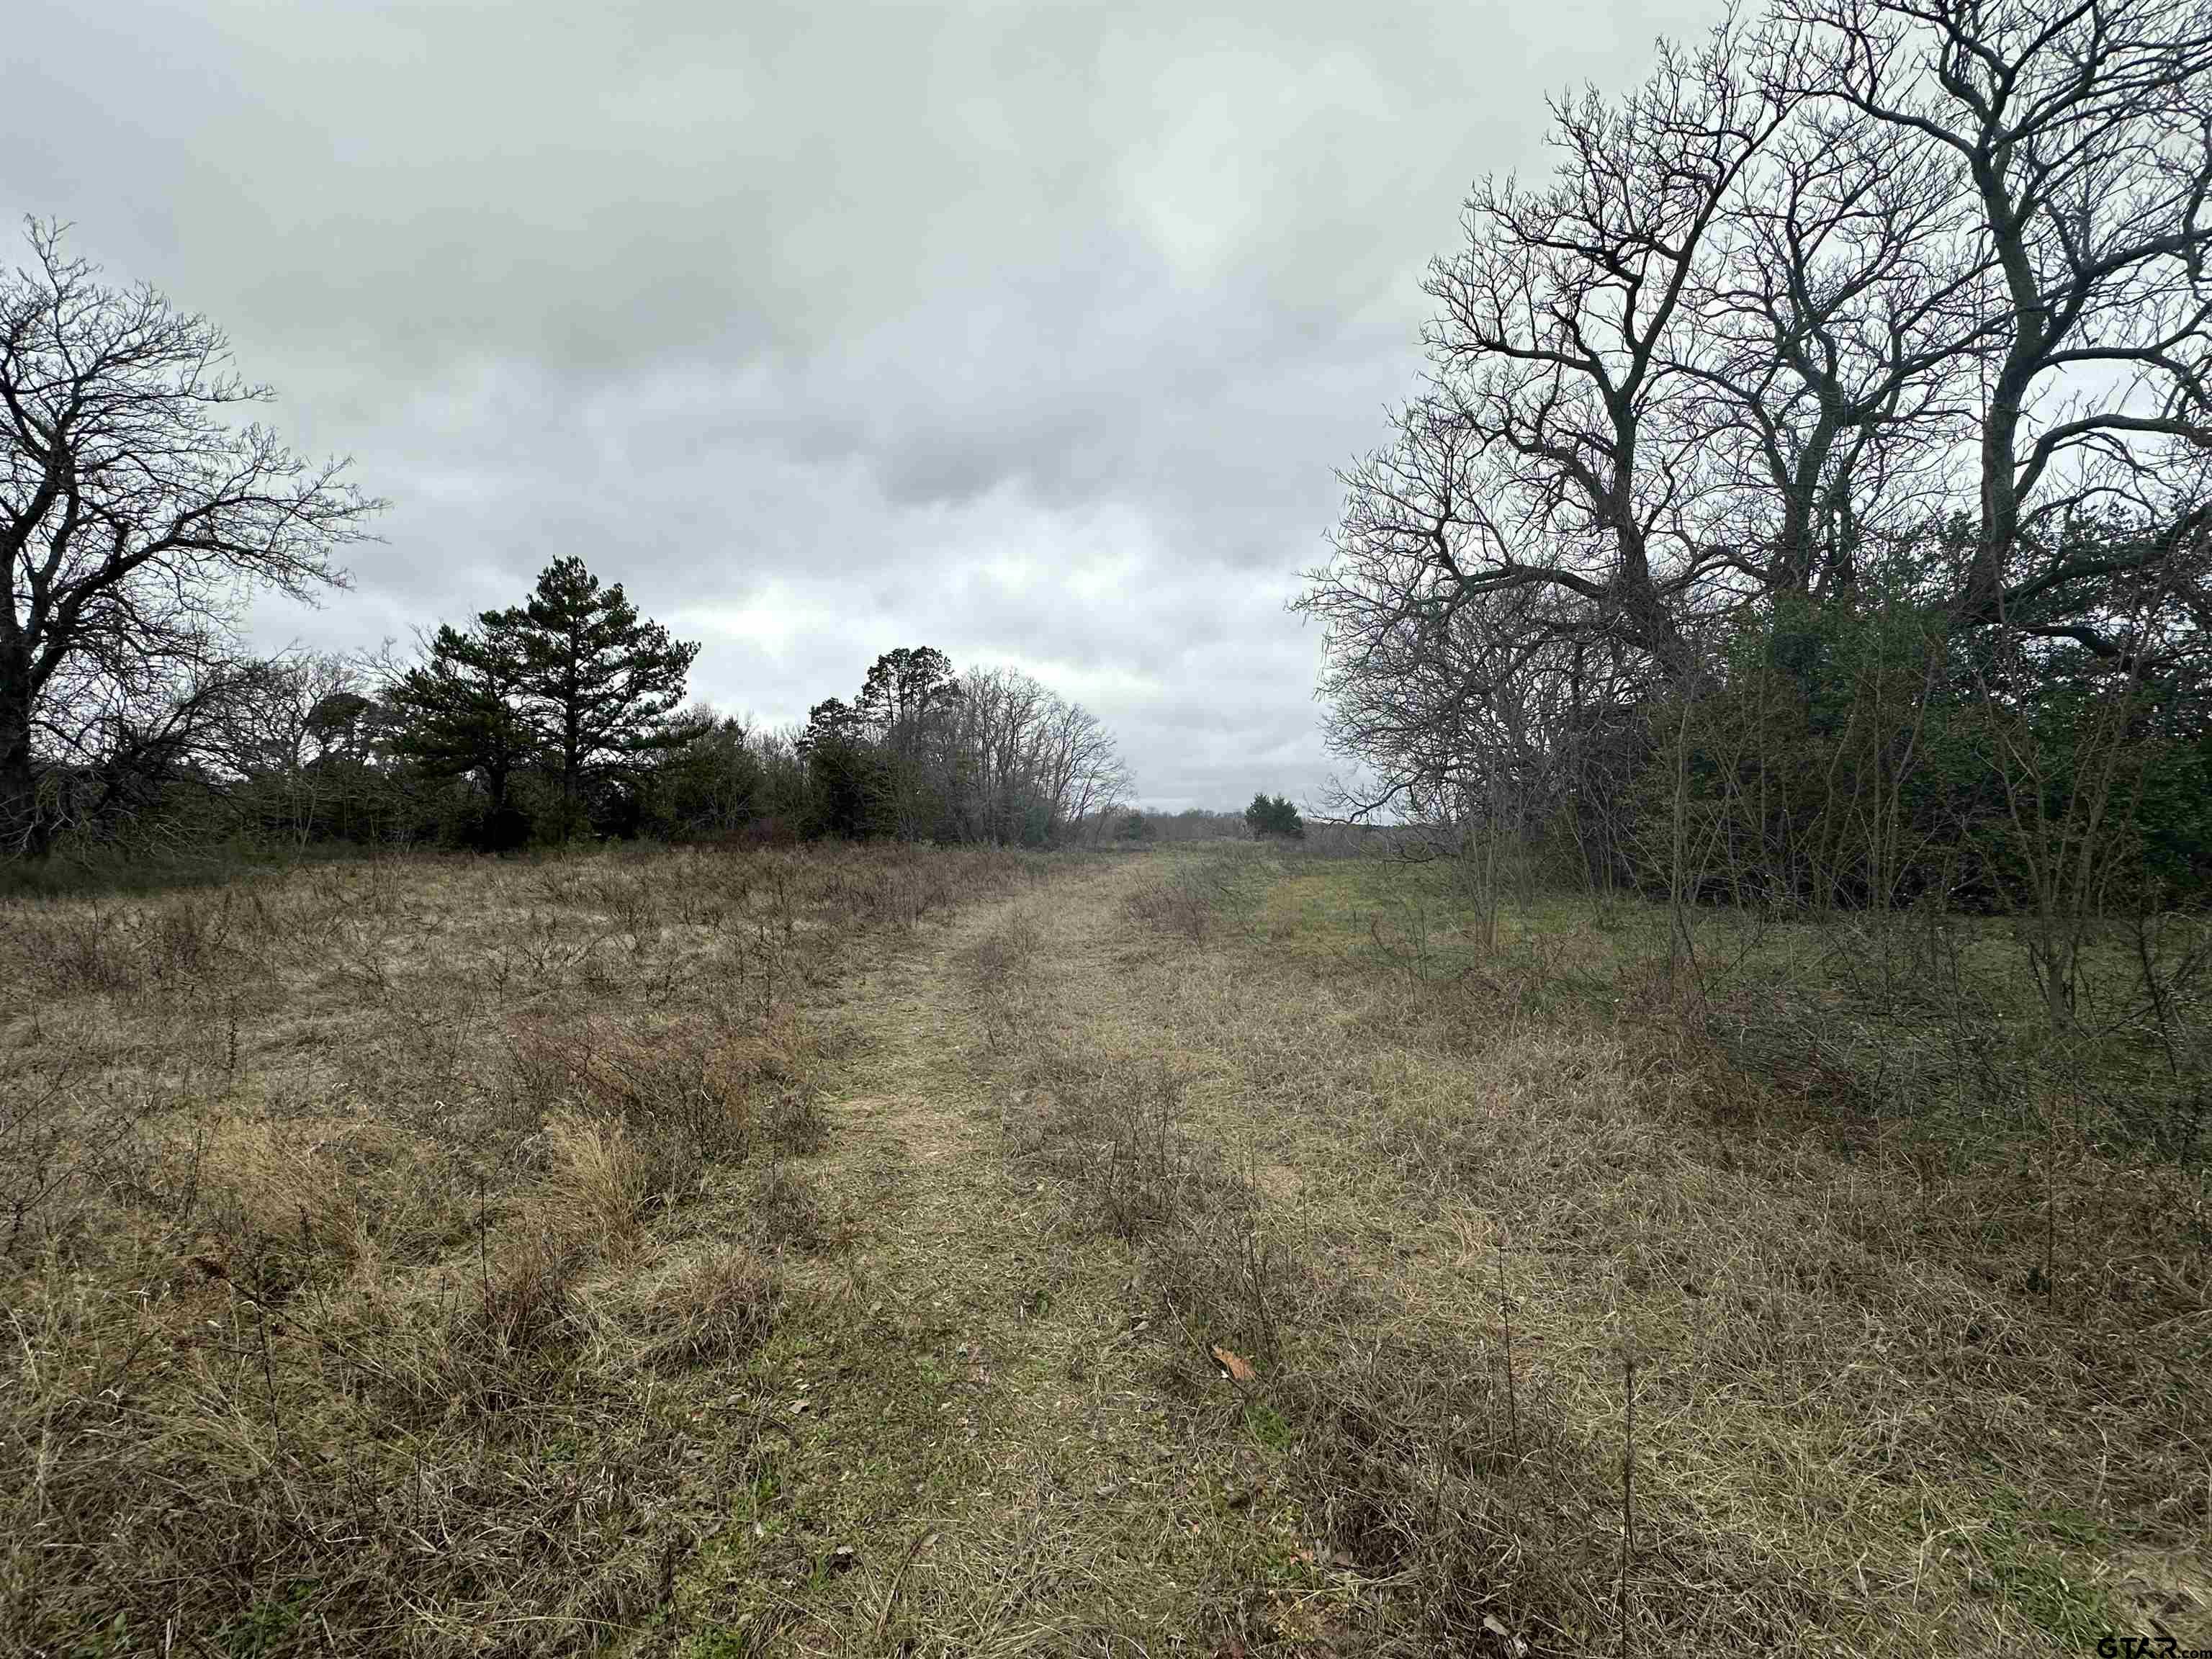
1857 293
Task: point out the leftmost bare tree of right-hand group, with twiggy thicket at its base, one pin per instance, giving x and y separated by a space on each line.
1558 508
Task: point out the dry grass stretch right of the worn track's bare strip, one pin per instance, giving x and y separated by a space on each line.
1881 1401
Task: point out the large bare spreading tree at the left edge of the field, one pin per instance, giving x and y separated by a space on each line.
132 517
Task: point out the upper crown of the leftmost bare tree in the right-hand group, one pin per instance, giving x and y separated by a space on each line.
1554 448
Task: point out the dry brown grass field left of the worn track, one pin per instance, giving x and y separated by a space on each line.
344 1211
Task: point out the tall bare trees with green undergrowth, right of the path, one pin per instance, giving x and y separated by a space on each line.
1806 499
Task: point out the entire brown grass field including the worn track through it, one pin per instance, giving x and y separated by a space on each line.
826 1253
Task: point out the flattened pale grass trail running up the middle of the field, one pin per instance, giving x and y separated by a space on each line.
968 1434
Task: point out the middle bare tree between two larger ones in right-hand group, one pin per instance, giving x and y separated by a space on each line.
1833 357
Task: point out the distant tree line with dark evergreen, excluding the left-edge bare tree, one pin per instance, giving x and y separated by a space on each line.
563 718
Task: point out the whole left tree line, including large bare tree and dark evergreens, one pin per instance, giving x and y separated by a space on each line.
136 514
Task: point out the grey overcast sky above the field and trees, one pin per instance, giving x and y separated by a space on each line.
1023 331
